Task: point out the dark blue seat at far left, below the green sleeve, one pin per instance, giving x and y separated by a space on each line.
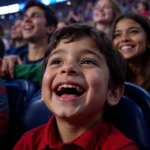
19 92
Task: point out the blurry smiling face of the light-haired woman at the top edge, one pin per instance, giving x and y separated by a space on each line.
103 12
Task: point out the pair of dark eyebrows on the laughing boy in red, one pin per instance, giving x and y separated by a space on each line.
83 51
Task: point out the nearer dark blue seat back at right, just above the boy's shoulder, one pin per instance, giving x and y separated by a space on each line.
129 119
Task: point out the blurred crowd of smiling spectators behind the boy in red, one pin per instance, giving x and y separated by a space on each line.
24 39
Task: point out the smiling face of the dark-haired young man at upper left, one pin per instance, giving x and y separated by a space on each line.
34 24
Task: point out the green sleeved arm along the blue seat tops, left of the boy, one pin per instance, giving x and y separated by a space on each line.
32 72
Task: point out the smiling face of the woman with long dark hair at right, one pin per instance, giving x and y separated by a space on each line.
129 38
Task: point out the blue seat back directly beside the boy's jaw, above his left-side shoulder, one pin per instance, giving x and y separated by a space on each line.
36 114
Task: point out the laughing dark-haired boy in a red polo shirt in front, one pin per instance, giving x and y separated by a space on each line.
82 74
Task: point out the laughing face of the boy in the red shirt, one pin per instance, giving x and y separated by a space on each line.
76 80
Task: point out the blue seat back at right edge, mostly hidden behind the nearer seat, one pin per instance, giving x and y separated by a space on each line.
141 97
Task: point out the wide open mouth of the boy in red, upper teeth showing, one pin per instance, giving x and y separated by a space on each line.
69 89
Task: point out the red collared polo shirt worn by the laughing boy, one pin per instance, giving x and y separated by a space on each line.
102 136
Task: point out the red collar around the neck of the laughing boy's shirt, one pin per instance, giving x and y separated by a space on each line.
92 135
